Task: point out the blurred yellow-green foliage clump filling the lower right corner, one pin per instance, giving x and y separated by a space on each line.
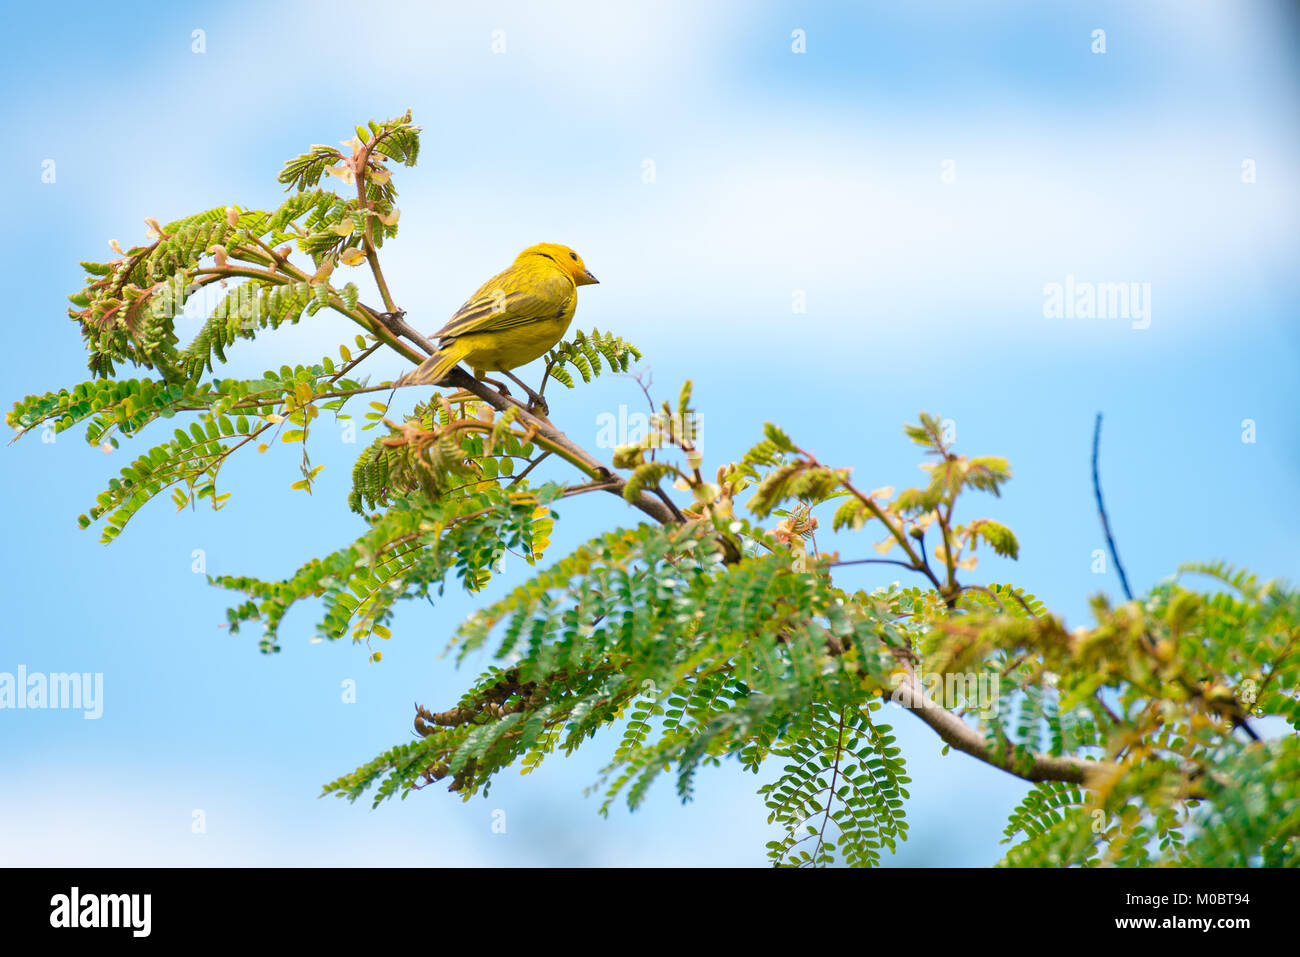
1181 791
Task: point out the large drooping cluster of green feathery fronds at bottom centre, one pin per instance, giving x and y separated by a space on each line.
599 638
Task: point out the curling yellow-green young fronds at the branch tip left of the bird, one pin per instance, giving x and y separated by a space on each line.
129 306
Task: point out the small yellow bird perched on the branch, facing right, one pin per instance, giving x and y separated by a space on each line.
514 318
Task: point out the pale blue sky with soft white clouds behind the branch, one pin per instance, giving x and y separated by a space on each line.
774 174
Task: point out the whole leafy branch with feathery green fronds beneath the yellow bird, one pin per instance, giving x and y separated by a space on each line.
720 627
